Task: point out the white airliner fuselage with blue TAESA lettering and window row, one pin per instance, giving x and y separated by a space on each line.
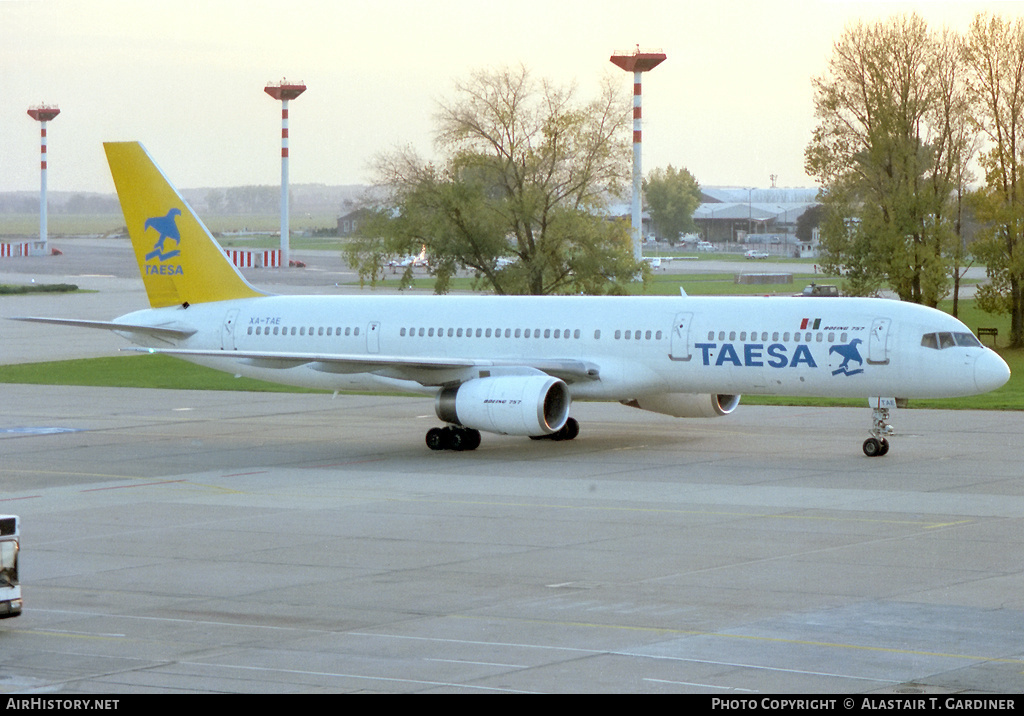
635 346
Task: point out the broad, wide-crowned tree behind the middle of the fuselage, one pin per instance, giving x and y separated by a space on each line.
520 195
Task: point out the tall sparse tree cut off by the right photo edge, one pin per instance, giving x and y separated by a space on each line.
995 55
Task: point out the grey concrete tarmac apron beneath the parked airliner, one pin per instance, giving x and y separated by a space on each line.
200 542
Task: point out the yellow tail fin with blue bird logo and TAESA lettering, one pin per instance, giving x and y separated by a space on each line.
180 261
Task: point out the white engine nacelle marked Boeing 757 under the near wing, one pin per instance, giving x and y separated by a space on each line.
507 405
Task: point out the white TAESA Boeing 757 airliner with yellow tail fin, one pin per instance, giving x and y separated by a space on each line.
514 365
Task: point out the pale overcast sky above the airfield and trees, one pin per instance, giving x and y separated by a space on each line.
733 103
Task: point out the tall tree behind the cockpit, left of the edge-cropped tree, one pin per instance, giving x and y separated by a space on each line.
889 153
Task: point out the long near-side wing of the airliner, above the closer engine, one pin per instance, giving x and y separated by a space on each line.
423 370
